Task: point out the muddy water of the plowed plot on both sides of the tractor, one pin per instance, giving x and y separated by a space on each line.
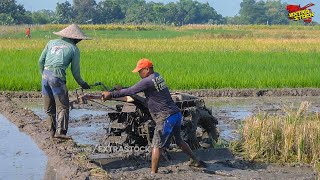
229 111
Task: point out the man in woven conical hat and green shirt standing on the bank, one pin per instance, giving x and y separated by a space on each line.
57 55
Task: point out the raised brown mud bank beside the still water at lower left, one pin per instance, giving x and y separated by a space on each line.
63 163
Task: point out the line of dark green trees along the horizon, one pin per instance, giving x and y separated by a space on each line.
139 11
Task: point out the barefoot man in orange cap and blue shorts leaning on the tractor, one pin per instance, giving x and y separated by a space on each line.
163 110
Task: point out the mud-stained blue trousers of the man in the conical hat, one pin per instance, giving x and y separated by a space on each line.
56 102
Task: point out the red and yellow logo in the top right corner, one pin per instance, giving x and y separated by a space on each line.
297 13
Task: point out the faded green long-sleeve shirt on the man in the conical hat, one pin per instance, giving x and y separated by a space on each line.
56 57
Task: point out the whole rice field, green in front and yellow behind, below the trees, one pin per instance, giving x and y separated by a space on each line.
188 57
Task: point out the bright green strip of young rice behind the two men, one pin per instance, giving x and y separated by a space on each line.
189 70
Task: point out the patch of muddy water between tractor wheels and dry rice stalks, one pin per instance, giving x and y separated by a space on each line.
231 111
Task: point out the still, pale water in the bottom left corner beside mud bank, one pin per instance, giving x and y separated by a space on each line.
20 156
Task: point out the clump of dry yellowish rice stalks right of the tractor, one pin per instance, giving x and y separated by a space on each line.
293 137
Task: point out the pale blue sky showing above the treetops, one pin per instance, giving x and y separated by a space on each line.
224 7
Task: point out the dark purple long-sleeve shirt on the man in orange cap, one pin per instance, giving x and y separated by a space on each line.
156 91
